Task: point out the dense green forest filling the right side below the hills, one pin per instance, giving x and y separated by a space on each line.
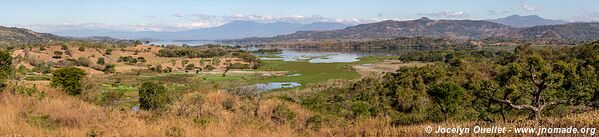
493 86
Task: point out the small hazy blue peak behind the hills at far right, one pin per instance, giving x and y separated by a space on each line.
527 21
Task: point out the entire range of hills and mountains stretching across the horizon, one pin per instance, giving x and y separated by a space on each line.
390 29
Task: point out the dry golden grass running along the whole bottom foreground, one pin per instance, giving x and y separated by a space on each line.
206 113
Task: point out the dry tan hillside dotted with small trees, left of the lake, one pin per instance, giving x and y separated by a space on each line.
124 59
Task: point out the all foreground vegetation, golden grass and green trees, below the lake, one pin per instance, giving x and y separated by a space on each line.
526 87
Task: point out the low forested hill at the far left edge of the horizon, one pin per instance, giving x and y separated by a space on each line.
12 35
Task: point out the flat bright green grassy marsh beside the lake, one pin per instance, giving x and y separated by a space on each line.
181 82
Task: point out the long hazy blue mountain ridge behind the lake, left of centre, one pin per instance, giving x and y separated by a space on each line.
232 30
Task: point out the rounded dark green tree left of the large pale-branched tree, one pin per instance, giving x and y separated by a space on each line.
448 96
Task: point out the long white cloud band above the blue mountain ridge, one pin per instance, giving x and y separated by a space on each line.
194 21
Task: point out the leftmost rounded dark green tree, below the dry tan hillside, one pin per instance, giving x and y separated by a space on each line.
69 79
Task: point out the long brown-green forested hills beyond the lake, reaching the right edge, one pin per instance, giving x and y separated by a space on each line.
453 29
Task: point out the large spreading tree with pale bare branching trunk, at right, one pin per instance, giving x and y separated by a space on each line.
532 84
